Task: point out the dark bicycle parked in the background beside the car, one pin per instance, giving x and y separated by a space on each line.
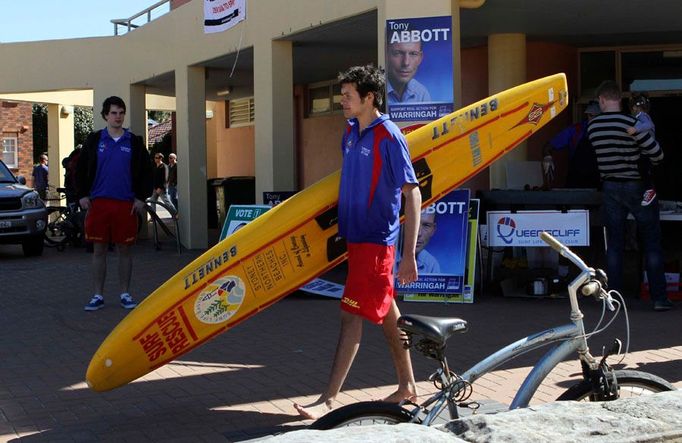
64 223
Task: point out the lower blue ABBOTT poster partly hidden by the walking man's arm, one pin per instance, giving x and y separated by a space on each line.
441 251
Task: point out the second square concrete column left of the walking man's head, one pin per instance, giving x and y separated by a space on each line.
190 92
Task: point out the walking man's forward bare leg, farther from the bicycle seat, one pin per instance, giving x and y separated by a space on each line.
346 349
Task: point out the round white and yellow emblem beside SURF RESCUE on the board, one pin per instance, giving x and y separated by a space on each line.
220 300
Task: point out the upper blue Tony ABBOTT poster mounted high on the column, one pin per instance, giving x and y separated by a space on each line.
419 72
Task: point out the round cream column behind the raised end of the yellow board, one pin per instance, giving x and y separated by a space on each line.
506 68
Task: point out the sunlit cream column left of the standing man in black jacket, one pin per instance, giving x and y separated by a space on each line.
60 140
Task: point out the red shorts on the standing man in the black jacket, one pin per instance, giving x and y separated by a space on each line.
110 221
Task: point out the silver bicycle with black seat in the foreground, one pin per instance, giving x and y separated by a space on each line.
429 335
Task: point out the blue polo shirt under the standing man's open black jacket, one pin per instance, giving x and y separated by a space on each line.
114 178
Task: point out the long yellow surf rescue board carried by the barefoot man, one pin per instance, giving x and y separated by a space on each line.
296 241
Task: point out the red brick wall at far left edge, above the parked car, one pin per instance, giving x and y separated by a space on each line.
16 120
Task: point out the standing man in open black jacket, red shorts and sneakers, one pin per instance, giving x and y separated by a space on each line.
114 179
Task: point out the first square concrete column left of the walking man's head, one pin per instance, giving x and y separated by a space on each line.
274 133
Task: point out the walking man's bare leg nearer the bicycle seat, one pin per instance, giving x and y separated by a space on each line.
407 388
